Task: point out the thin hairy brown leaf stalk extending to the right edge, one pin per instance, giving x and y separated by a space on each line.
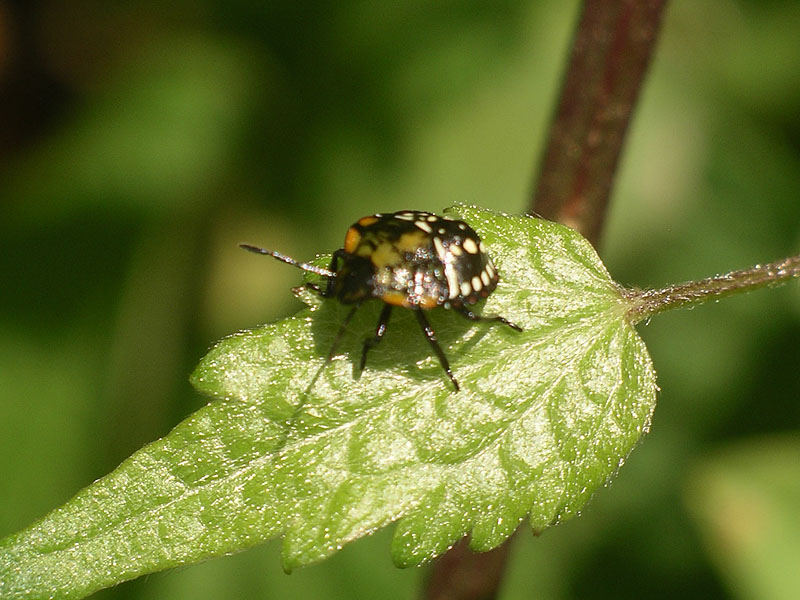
650 302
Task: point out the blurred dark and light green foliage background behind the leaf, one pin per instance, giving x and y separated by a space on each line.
142 141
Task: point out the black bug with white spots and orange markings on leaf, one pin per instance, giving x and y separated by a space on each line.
410 259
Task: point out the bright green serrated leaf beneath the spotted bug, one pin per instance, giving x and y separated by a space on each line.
543 419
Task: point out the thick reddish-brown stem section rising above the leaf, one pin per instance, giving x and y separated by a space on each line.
610 54
